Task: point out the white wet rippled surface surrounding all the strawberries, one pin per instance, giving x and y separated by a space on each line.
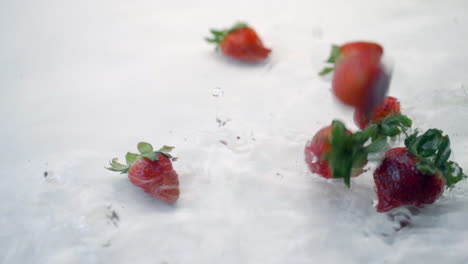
84 81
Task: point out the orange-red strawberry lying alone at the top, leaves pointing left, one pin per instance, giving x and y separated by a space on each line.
240 42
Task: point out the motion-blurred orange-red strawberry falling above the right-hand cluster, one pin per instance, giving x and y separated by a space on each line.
360 80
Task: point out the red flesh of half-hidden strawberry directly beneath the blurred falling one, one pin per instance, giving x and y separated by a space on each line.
389 106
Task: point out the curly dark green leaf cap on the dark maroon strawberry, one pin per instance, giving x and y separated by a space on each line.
433 152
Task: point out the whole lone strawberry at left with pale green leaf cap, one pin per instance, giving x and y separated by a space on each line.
152 171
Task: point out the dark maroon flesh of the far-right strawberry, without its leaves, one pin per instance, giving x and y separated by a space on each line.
398 182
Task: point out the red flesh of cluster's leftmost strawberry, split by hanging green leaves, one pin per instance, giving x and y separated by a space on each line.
317 153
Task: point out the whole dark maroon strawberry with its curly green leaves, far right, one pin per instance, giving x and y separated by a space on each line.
416 174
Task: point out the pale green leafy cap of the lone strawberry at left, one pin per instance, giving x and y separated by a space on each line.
146 151
